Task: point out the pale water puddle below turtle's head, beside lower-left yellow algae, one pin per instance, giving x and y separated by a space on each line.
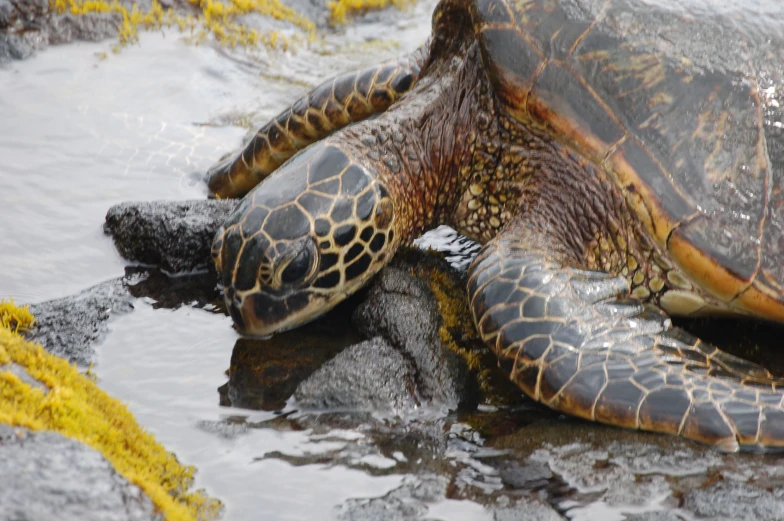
168 365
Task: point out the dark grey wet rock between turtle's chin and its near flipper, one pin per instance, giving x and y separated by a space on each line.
404 365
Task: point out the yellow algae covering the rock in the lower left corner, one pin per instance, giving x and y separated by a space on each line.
76 407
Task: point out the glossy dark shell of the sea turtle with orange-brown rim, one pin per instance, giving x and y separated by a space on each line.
681 102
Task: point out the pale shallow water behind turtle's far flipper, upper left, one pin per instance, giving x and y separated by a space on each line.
80 133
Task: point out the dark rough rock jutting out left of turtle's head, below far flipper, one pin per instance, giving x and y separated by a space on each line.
174 236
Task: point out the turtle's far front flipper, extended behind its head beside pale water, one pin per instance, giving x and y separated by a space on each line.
345 99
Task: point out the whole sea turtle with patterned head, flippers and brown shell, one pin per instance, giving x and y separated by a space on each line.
621 160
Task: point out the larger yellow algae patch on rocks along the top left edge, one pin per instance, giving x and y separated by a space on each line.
216 18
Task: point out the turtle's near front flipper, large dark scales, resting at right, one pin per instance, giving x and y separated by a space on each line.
576 342
